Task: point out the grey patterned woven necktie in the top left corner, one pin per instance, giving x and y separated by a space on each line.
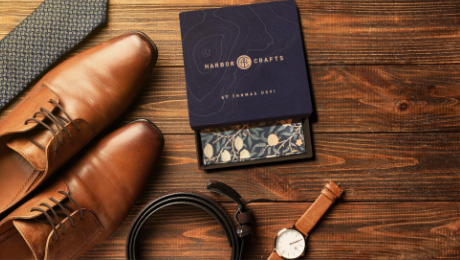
54 28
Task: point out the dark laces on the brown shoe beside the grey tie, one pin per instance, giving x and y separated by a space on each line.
59 122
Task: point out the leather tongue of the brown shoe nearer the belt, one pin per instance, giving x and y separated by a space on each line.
35 234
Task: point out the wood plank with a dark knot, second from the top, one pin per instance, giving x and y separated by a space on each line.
347 99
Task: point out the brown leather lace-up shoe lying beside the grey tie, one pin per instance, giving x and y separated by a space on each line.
66 109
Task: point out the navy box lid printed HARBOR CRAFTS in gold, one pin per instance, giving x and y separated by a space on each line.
244 64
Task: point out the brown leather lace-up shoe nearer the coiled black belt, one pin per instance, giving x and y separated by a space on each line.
86 204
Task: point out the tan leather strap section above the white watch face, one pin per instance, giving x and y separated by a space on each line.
328 195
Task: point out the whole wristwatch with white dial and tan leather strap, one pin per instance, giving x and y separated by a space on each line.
291 242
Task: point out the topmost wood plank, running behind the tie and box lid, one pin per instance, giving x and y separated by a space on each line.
335 32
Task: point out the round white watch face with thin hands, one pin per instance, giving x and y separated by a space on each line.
290 243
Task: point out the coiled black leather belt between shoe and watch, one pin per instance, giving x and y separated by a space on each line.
236 236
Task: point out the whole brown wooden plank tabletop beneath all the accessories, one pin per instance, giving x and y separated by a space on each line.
386 87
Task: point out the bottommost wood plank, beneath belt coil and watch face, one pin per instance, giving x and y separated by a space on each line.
348 231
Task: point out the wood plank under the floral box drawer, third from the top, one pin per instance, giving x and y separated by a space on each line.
371 167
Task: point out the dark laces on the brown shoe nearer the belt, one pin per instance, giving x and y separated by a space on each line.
66 210
